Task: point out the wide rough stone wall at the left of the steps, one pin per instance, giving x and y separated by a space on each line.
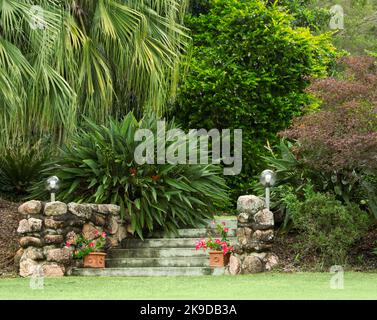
47 227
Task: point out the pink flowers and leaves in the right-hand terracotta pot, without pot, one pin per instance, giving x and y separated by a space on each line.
222 244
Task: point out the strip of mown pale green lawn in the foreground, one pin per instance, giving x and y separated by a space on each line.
260 286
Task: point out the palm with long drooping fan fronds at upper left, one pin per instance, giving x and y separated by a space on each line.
61 59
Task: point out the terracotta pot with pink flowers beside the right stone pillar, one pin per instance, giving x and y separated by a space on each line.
220 249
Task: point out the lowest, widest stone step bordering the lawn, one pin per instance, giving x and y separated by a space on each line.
148 271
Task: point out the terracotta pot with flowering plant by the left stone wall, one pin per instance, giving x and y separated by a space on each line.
91 250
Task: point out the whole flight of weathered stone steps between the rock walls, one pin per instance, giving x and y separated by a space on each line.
161 255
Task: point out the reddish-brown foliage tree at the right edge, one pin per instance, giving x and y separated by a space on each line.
342 136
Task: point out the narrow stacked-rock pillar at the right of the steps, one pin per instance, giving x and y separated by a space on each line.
255 235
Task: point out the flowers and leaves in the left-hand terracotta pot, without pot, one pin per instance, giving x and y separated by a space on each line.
84 246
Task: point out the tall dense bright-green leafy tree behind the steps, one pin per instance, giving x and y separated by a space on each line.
248 70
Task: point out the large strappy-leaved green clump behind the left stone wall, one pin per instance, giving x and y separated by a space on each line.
99 166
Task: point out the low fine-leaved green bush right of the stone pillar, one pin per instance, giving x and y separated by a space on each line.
327 227
